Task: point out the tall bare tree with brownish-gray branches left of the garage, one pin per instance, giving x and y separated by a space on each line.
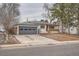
8 14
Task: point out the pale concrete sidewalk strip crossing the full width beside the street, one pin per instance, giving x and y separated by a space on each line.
12 46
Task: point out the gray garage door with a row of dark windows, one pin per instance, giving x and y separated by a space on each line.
27 30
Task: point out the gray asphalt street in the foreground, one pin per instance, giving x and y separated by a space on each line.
51 50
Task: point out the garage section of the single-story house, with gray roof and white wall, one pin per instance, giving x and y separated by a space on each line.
31 27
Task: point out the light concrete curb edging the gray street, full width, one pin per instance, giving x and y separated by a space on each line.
38 45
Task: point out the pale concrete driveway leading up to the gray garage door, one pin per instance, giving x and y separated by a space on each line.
35 40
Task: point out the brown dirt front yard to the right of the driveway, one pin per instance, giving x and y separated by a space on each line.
60 36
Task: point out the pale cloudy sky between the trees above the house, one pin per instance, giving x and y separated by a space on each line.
31 10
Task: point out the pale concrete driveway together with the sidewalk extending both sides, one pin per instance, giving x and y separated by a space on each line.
35 40
